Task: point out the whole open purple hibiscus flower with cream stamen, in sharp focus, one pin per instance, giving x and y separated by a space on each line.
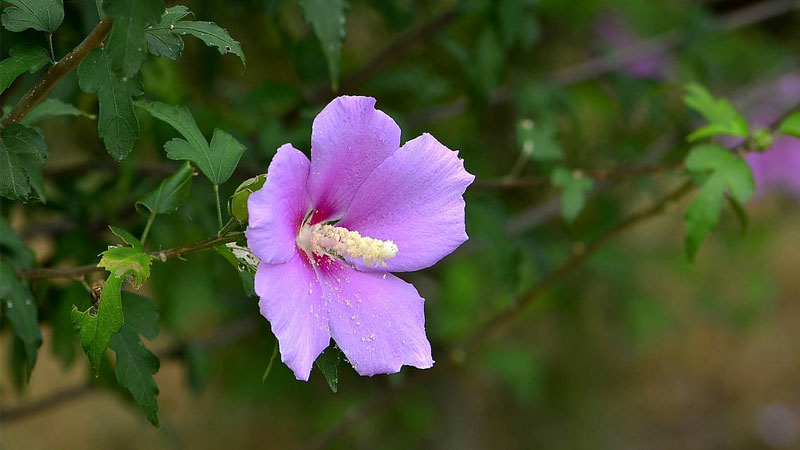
329 231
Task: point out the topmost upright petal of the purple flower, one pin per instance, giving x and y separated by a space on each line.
349 139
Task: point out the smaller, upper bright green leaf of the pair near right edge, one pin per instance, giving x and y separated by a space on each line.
722 117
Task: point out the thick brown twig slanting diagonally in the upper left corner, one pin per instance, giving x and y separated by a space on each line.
57 71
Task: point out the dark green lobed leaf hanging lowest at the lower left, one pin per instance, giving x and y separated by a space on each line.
136 365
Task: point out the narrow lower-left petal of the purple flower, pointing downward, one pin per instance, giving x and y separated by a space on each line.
291 299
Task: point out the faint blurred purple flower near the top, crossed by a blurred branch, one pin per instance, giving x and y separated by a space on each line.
615 33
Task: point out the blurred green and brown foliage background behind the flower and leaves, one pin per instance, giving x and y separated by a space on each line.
635 348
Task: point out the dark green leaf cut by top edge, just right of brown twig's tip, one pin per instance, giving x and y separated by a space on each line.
126 44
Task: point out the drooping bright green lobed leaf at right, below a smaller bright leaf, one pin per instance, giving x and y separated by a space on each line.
724 172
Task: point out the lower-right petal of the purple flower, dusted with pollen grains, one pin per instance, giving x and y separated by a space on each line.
376 319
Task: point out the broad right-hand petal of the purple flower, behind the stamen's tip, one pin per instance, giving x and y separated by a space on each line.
415 199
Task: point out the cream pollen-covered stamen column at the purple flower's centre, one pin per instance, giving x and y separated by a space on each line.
329 241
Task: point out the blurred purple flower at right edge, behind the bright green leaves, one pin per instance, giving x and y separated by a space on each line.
778 168
